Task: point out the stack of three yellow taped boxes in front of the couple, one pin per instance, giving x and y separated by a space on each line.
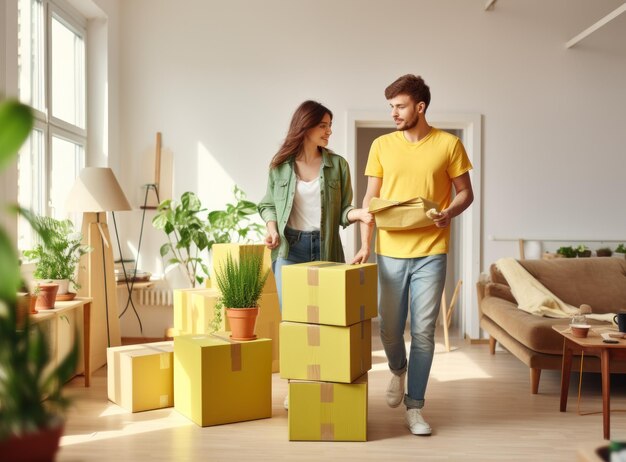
326 348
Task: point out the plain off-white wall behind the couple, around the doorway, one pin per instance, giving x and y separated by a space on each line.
221 79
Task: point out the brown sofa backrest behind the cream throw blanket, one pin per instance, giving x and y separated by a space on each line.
598 282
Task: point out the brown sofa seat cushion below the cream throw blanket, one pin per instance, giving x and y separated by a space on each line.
535 332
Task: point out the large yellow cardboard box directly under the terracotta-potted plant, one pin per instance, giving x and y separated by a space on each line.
218 381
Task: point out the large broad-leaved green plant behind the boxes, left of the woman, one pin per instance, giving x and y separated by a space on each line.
190 232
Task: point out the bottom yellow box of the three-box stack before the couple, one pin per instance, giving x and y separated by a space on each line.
324 411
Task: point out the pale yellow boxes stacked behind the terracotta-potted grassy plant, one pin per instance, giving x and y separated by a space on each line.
194 309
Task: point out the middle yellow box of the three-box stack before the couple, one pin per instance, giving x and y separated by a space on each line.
325 353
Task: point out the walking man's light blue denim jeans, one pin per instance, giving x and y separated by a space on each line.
421 280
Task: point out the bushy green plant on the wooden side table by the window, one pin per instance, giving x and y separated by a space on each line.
57 259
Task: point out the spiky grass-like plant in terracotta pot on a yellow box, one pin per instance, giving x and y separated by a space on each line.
241 284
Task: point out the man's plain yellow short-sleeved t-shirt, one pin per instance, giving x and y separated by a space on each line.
424 169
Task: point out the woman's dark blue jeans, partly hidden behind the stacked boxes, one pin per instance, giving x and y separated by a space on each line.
304 246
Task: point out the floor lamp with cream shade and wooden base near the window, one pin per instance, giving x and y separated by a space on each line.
96 192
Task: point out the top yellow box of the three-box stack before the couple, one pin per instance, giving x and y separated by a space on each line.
330 293
